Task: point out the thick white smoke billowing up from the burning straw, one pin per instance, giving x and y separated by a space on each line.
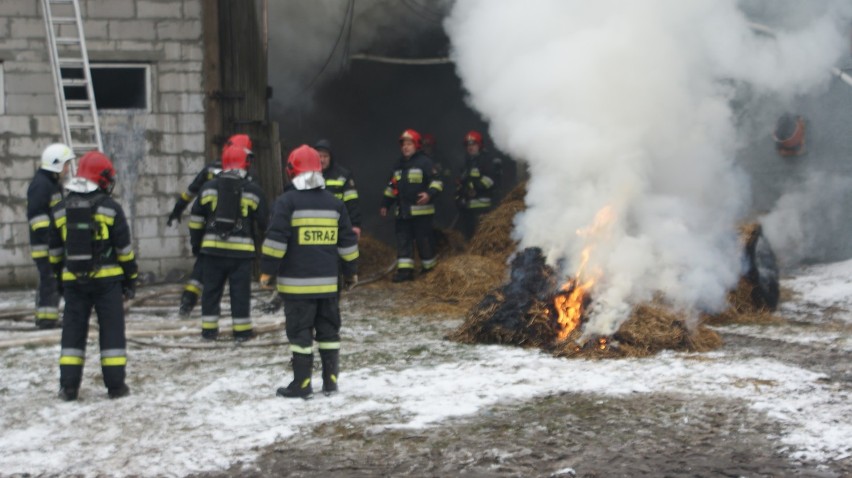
626 104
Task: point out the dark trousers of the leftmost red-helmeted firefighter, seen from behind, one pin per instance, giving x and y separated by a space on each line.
107 300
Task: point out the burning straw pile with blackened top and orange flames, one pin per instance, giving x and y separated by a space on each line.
523 312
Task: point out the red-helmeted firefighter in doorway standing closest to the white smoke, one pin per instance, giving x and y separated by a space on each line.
477 183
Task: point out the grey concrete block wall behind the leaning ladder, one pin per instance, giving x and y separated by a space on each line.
156 152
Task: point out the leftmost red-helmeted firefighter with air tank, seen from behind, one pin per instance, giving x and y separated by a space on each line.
92 243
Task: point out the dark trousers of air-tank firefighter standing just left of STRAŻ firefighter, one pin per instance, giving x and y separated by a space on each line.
218 271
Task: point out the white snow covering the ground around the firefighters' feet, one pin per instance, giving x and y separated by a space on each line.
193 410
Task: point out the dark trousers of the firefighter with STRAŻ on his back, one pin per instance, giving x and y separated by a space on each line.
309 318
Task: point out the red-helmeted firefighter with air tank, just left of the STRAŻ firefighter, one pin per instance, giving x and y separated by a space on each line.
225 222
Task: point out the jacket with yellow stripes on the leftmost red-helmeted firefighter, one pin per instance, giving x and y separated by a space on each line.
112 258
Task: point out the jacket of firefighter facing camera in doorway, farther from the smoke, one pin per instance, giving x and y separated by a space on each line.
410 177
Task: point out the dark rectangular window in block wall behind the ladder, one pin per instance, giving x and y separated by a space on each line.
116 86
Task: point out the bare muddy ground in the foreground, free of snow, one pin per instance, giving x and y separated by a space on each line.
566 434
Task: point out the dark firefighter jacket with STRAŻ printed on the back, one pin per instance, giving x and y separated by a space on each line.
309 230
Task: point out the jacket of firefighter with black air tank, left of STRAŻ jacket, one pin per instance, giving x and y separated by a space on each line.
240 242
